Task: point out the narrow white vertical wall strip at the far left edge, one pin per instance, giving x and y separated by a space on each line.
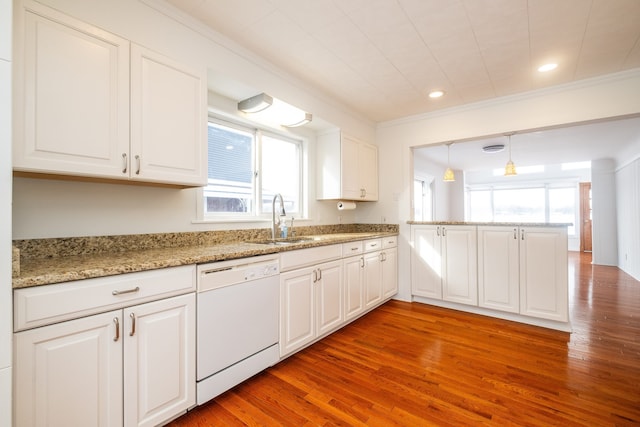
6 317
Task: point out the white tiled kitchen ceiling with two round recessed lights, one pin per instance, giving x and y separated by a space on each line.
382 57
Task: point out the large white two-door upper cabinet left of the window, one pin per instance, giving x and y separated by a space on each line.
95 105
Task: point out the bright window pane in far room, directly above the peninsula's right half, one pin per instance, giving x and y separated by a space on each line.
519 205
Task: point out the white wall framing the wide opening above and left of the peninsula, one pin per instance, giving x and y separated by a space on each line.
608 97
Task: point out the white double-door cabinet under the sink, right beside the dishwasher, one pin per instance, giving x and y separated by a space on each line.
311 304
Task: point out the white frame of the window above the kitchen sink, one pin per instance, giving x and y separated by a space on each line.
257 214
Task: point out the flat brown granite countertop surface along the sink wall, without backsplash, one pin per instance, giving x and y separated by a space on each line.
36 271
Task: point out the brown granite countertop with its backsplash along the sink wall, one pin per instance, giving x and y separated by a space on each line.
47 261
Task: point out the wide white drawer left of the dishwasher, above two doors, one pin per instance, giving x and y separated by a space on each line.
48 304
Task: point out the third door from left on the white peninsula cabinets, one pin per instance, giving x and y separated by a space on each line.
498 268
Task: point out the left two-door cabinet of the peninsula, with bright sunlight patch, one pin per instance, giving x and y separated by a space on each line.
443 263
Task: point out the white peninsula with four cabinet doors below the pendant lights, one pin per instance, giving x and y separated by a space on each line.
514 271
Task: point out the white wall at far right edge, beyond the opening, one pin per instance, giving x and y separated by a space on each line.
628 203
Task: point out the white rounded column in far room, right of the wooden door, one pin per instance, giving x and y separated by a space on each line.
603 211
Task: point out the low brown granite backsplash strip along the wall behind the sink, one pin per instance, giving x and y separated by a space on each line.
72 246
